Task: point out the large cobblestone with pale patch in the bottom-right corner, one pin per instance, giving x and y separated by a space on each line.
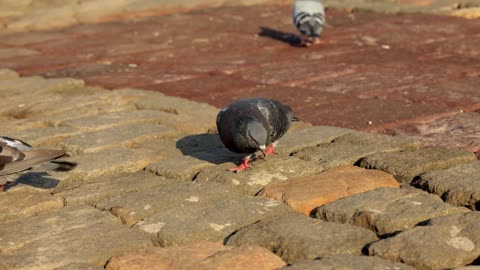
446 242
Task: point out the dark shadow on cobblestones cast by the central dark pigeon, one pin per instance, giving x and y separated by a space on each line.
207 147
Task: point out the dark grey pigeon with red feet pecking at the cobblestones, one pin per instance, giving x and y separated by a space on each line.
253 124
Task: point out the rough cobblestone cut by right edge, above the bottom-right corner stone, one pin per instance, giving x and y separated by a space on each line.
459 185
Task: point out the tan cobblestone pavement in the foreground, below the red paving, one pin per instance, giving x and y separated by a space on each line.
152 184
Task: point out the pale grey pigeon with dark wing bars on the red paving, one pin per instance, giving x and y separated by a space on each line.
309 18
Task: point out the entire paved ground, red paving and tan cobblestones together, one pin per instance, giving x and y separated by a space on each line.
152 182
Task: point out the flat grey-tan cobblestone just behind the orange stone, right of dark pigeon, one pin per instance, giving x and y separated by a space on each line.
352 147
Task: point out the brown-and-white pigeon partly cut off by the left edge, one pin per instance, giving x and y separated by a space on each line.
17 156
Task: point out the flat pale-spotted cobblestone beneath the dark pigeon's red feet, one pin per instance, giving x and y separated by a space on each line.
274 169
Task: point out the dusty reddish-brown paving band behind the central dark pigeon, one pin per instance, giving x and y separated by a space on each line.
372 72
